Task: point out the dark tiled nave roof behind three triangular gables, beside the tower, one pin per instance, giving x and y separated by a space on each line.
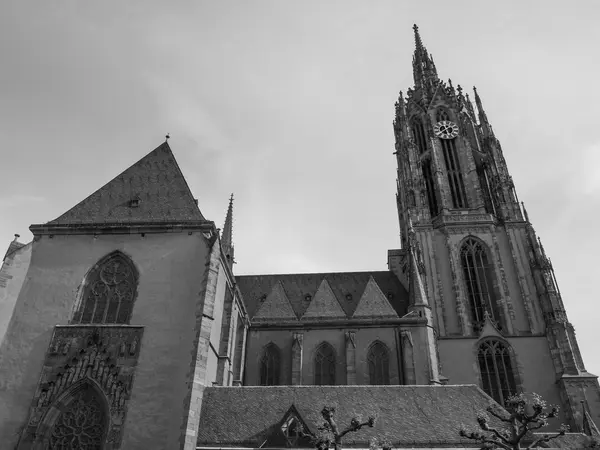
348 288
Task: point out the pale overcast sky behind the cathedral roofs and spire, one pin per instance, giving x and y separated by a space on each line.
290 105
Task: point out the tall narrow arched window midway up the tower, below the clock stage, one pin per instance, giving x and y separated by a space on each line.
478 274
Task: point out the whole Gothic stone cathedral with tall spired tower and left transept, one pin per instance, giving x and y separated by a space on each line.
124 326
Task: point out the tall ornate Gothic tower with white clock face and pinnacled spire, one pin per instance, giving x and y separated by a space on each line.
497 310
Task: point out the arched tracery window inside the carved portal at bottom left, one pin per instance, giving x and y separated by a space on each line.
82 425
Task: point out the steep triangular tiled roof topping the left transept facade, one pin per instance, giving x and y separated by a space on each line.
151 190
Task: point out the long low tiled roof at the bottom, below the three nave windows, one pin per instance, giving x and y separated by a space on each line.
405 415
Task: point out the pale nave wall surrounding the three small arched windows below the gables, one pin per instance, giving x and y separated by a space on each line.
312 338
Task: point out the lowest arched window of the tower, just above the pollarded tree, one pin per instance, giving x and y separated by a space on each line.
496 369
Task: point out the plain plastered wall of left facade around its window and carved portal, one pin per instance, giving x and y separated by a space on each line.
171 272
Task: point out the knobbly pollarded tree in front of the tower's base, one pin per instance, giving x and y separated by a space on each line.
525 415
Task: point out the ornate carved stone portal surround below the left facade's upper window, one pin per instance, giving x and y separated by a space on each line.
77 355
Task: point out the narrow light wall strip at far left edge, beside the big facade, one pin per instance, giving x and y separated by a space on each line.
12 275
